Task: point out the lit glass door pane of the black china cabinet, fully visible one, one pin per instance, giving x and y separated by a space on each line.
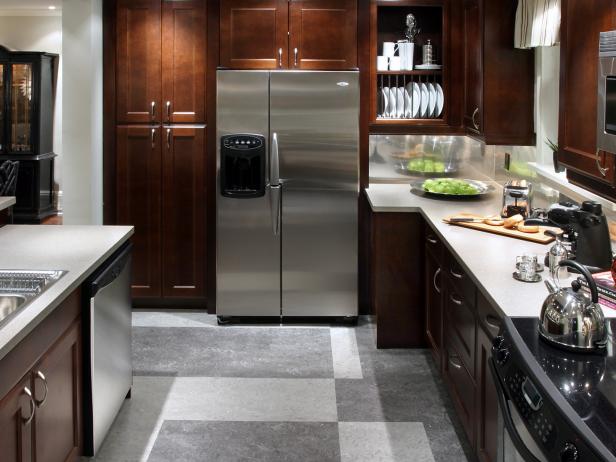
21 107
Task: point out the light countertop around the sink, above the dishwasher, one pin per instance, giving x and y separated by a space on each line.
80 250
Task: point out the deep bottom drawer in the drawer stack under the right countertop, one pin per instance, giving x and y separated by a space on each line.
462 388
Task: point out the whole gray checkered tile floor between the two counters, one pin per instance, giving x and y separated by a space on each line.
278 393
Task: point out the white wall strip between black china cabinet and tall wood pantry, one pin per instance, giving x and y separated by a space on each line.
82 111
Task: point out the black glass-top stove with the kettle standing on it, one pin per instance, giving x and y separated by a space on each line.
554 405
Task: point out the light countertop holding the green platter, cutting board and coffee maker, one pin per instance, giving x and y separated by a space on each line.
488 258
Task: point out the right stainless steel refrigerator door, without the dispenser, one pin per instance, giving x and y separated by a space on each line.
315 117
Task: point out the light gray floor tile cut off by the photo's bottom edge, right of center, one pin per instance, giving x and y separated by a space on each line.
384 442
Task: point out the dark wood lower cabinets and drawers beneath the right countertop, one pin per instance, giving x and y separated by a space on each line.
458 321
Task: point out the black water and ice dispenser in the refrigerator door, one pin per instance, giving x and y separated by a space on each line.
242 166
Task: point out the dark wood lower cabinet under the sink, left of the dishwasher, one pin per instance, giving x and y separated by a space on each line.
41 391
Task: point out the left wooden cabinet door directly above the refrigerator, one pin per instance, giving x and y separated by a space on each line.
254 34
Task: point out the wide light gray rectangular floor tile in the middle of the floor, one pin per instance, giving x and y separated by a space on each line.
241 399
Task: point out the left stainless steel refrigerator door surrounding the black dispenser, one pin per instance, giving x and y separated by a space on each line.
247 237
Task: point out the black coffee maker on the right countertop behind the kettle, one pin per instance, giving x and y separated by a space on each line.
585 228
